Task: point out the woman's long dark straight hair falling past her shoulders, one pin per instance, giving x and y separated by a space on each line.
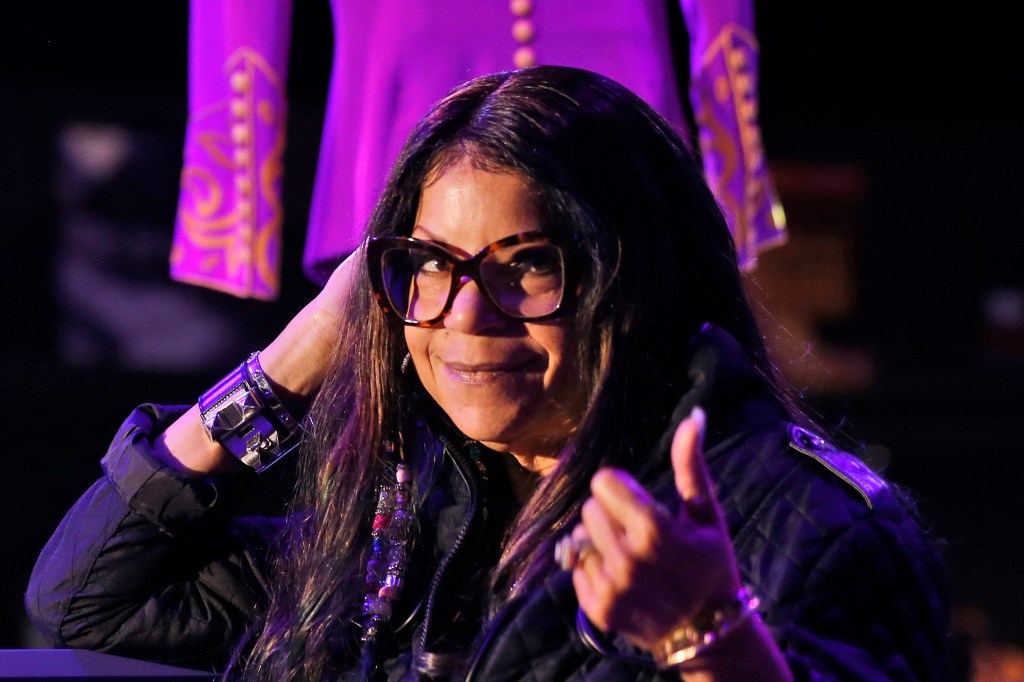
656 263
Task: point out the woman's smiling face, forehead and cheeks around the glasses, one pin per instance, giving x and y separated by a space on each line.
504 382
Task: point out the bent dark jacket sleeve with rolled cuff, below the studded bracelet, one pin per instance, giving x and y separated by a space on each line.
150 565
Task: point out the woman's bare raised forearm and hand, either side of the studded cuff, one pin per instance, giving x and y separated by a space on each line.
295 363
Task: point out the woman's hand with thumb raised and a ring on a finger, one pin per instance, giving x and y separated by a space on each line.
649 571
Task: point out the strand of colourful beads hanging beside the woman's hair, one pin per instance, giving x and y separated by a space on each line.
391 535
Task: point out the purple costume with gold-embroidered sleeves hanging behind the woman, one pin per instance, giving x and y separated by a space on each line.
392 62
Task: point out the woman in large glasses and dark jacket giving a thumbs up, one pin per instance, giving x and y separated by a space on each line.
558 332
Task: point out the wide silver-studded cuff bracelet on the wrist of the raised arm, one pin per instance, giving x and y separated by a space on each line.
243 414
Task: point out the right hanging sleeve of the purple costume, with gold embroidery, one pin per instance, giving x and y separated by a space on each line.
724 98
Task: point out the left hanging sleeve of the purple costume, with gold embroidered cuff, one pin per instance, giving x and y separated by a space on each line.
228 231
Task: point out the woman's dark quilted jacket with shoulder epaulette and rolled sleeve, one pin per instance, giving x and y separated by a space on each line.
151 566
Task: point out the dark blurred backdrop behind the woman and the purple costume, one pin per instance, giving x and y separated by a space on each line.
911 110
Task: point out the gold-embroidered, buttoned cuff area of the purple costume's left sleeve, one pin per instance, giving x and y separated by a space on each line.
231 215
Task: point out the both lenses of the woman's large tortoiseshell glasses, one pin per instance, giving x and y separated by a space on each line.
524 281
